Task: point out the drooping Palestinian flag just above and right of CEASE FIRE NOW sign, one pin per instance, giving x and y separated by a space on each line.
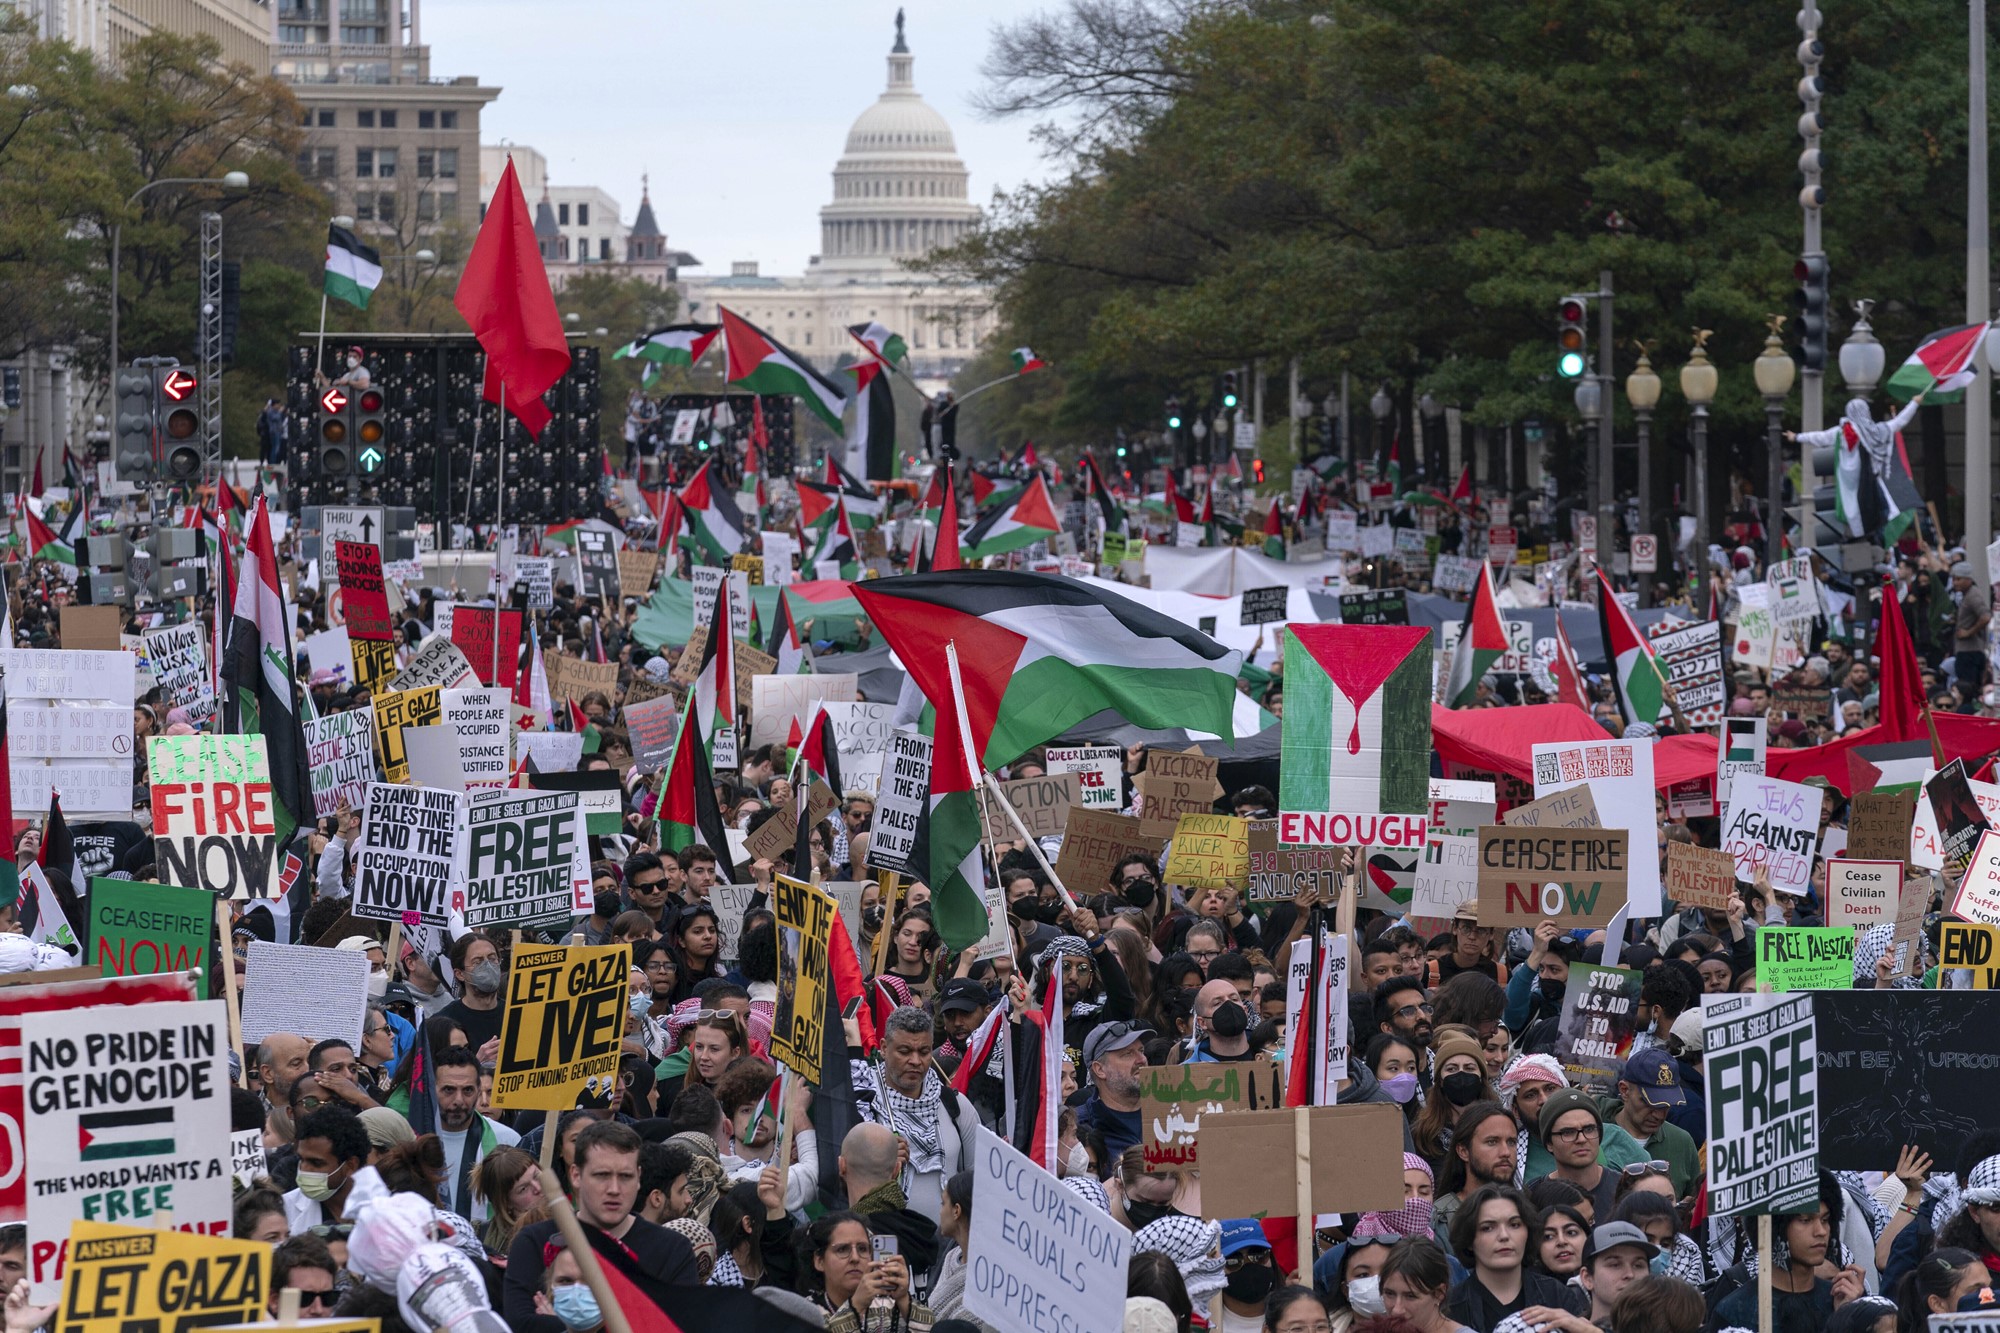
257 680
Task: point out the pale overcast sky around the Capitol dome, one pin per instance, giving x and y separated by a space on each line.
739 111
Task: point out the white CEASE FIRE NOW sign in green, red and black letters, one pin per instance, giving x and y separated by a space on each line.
213 816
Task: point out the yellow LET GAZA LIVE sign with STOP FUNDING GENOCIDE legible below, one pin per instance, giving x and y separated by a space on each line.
563 1028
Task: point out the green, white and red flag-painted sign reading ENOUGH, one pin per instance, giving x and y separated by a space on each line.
1357 736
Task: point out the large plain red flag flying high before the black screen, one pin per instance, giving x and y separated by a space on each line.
505 295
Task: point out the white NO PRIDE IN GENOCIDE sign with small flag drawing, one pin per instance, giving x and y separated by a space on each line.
129 1120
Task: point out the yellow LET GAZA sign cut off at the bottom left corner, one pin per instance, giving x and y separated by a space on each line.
133 1280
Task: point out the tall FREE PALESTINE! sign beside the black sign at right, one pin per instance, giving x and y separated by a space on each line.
1763 1104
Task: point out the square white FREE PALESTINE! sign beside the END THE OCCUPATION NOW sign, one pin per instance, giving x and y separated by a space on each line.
525 860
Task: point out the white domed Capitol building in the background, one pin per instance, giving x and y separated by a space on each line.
899 195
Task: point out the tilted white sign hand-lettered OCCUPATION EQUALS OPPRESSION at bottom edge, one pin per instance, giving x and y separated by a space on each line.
1041 1258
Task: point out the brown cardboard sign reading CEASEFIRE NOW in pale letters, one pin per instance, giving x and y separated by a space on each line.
1575 878
